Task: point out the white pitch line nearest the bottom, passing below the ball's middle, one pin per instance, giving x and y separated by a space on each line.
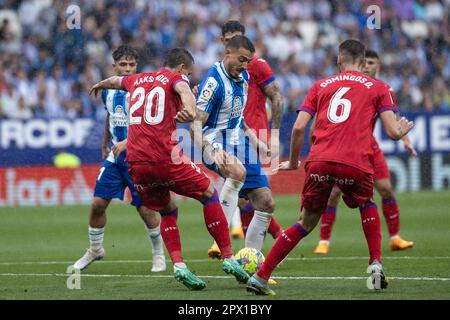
212 277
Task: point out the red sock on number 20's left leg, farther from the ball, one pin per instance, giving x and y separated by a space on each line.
171 235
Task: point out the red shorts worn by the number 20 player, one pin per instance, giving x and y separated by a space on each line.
154 181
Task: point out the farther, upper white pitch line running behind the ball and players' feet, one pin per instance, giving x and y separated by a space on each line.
9 263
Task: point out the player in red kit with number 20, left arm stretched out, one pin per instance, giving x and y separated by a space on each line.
156 165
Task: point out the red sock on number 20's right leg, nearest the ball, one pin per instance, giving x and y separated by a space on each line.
217 224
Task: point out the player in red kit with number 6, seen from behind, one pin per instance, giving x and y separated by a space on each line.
346 105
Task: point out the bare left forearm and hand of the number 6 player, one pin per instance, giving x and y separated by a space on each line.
298 133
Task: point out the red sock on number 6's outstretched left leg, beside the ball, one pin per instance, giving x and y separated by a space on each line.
281 248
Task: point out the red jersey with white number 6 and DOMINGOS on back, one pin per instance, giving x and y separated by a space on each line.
346 105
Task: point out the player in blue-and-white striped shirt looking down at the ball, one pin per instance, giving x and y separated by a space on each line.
219 127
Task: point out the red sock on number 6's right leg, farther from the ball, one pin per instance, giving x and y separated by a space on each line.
371 225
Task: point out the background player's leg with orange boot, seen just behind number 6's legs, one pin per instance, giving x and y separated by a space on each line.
327 221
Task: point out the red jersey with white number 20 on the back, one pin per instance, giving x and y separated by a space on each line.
153 107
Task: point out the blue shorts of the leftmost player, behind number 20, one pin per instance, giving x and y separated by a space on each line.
112 181
